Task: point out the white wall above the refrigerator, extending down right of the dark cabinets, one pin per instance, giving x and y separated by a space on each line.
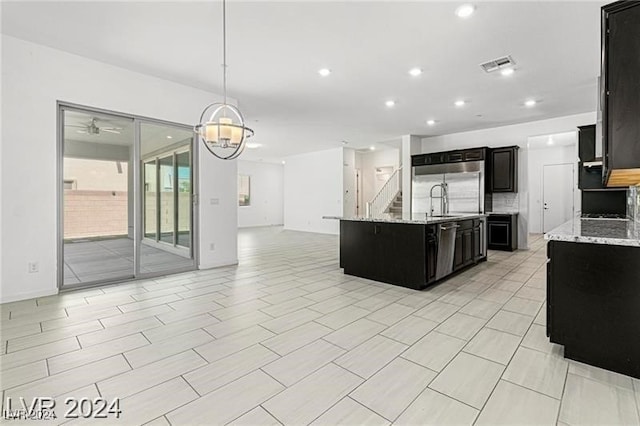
516 134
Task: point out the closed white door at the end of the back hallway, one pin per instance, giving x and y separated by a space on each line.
557 195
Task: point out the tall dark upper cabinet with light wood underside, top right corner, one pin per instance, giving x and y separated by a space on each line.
621 87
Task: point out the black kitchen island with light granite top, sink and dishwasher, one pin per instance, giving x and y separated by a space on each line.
411 253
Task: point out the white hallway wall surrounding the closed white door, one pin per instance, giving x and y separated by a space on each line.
538 158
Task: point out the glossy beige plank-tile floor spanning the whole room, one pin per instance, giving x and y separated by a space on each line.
287 338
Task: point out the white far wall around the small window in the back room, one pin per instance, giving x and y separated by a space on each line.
267 192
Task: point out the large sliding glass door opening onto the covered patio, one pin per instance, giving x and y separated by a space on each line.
125 197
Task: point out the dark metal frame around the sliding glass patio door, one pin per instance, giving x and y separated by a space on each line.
61 107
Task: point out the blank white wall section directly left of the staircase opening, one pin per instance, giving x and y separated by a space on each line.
312 189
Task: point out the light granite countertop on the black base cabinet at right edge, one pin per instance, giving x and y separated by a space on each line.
619 232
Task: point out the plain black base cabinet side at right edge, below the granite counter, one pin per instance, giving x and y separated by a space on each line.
593 304
